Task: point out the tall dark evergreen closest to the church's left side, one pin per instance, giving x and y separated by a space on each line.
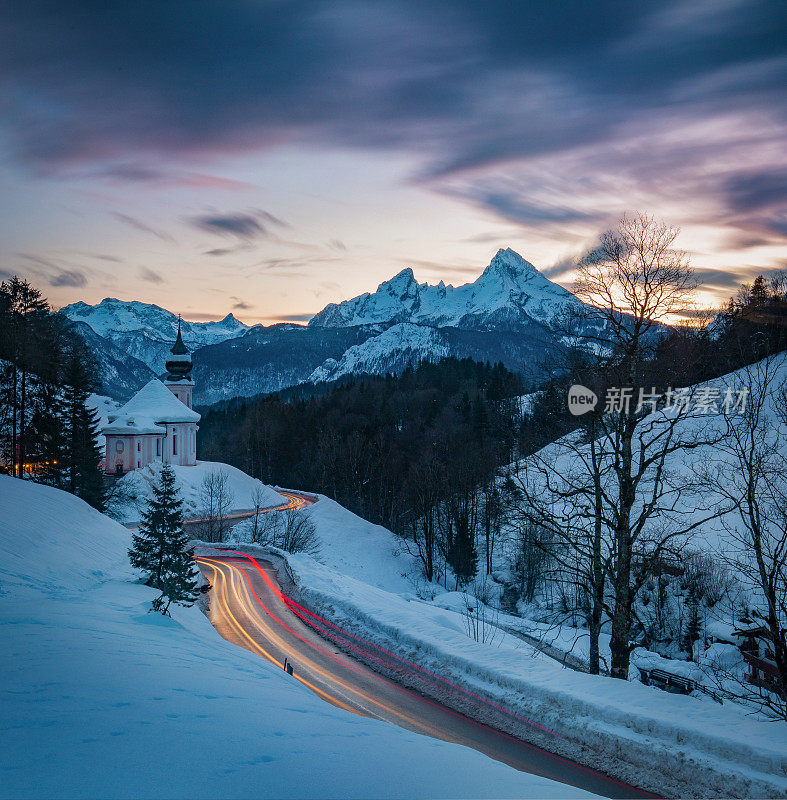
83 455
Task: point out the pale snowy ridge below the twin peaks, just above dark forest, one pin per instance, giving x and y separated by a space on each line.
391 351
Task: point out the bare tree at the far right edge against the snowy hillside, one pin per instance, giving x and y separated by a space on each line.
750 472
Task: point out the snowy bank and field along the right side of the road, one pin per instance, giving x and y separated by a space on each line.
703 748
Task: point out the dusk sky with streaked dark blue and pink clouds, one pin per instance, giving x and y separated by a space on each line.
267 158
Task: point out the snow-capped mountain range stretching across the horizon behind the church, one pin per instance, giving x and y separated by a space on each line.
510 313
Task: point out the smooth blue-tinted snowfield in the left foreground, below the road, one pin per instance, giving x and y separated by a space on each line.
102 699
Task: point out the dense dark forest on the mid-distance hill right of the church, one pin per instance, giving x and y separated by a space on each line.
389 448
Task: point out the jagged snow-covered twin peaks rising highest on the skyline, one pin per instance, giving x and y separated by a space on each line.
510 292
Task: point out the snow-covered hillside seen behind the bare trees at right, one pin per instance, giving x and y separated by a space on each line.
685 492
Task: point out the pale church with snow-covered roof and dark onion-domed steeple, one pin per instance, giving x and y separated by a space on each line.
158 423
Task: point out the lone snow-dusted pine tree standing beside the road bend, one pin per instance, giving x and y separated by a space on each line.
160 547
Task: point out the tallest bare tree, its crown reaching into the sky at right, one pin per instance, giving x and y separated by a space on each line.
617 503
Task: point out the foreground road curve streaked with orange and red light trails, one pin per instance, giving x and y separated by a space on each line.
248 608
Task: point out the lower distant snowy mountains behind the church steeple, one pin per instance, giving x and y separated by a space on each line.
147 331
